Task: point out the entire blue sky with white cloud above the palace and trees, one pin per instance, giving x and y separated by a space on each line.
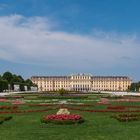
61 37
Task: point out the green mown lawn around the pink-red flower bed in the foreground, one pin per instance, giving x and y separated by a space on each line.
97 126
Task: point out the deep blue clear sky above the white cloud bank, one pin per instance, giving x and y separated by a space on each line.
80 15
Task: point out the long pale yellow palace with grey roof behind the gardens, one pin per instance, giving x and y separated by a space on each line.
82 82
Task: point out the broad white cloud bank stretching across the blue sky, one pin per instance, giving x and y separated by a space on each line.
33 40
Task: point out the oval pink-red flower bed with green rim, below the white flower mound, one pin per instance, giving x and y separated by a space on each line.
62 119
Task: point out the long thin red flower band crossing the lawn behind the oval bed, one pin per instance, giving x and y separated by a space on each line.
79 107
